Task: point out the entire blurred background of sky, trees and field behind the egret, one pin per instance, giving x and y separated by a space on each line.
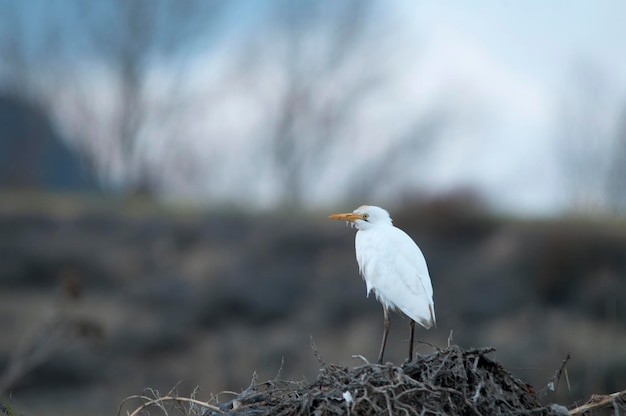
167 167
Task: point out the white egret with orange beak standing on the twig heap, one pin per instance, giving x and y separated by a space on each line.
392 266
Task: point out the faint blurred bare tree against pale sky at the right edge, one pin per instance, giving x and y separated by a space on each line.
592 148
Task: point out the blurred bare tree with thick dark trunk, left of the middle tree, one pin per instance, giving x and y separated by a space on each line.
110 125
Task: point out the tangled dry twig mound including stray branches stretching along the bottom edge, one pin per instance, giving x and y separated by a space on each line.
450 381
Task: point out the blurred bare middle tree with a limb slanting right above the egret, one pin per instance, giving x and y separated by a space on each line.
333 61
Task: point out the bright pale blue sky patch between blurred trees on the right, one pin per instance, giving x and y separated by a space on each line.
517 59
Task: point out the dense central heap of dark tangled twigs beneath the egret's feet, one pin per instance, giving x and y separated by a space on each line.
448 381
